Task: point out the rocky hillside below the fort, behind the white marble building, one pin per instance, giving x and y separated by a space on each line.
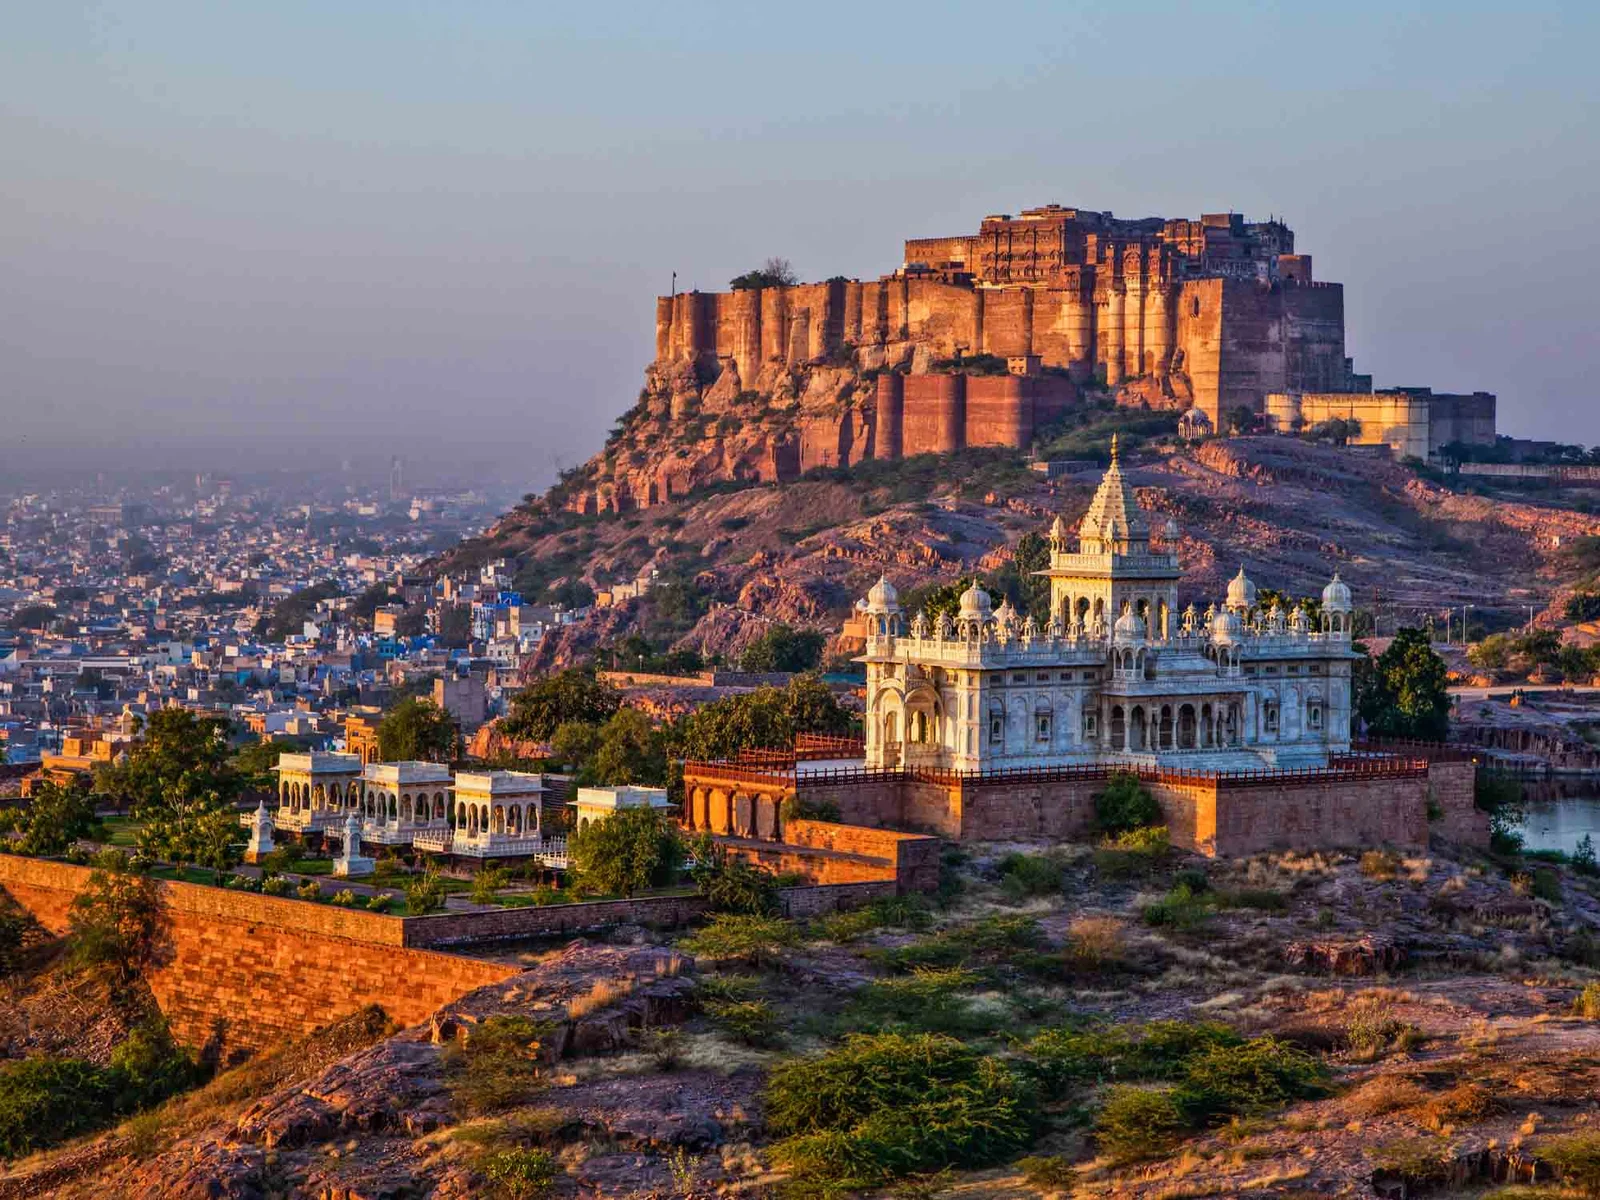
1287 510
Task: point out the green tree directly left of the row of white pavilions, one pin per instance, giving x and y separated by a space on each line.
177 780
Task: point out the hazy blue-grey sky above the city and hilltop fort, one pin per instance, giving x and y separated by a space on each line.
441 226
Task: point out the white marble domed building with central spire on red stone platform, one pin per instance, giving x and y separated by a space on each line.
1118 676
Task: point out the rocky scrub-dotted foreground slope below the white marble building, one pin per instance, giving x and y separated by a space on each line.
1449 1002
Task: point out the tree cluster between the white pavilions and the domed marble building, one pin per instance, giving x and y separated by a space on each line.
606 743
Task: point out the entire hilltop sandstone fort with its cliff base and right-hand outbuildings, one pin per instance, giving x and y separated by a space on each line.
982 340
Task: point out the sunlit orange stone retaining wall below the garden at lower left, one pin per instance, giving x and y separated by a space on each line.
241 972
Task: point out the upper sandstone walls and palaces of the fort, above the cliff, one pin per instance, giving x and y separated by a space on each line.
1222 302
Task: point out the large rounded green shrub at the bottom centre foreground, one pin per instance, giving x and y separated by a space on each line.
886 1106
